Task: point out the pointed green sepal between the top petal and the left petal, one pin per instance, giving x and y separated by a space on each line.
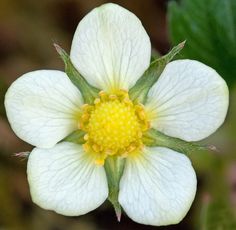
88 92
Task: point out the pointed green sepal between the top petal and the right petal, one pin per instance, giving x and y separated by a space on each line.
140 90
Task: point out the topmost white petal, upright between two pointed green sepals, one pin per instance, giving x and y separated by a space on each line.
110 48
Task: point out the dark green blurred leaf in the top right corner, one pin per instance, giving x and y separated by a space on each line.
210 30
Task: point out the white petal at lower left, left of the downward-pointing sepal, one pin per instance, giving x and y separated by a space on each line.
66 180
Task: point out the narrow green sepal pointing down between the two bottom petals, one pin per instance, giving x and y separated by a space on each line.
114 167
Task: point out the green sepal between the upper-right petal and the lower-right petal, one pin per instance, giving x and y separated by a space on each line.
155 138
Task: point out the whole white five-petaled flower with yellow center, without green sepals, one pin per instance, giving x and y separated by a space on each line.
111 50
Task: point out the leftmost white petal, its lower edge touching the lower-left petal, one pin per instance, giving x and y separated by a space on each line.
42 107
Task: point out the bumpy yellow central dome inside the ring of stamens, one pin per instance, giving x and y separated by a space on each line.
113 125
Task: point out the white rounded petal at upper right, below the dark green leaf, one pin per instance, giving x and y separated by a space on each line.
189 101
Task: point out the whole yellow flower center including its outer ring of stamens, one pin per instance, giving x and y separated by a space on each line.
113 126
